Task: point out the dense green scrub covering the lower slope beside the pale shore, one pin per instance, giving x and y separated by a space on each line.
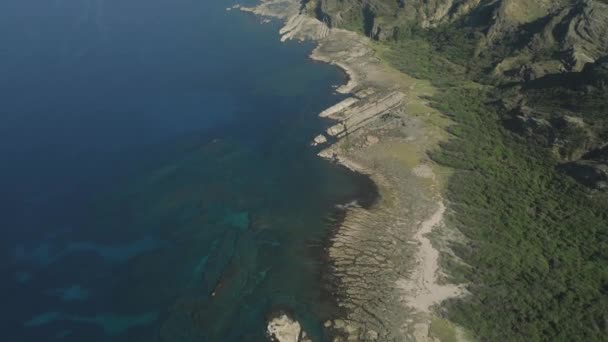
537 241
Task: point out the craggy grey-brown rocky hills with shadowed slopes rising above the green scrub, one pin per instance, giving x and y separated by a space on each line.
540 46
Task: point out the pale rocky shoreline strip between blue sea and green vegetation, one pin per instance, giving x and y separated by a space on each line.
386 266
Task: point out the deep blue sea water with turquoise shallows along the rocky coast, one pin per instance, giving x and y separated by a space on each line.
155 174
